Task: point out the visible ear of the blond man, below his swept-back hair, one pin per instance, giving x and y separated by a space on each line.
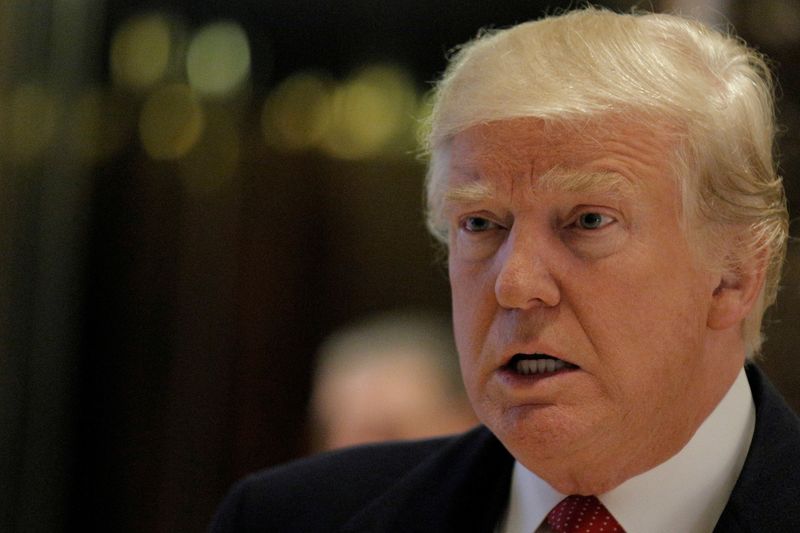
736 293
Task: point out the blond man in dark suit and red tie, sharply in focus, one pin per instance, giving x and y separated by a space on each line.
615 229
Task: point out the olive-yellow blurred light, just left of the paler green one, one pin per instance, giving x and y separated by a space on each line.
140 51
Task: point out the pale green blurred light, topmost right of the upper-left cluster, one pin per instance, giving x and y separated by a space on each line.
218 59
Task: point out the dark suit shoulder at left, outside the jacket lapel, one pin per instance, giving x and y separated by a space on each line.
323 492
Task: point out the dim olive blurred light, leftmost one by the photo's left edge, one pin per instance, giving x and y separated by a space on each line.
32 116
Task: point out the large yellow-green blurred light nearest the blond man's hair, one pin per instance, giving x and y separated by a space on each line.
370 112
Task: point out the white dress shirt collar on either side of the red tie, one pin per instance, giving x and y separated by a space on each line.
686 493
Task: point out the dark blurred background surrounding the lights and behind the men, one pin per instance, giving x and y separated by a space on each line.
156 343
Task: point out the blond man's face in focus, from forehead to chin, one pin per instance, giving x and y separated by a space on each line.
567 255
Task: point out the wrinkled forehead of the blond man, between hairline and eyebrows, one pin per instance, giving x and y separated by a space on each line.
613 156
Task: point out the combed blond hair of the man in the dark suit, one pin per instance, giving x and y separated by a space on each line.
655 69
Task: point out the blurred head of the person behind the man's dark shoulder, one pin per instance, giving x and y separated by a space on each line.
391 376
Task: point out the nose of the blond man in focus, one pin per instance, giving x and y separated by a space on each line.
525 277
